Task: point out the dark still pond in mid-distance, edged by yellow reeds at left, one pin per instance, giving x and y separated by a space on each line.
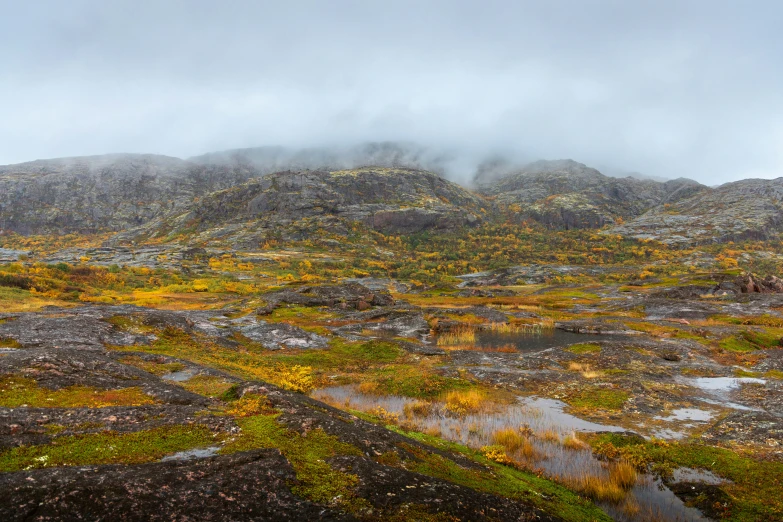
534 341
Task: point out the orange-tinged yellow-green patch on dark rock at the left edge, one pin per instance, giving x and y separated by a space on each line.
16 391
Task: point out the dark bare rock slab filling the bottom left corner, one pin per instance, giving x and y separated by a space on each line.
254 485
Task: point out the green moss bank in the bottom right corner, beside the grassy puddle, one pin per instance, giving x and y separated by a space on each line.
756 490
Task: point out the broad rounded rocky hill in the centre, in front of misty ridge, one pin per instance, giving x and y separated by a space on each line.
384 199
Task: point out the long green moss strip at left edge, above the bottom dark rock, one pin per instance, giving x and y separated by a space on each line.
107 448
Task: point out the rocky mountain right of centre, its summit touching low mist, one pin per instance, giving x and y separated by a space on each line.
567 194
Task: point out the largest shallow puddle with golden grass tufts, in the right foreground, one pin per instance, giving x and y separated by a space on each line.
546 418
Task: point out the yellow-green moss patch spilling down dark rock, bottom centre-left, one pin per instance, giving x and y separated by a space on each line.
307 454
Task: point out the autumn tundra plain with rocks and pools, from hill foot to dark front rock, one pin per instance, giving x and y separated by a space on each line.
226 351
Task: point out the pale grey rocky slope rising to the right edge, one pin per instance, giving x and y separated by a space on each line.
750 208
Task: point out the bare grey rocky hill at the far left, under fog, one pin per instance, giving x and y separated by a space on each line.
104 193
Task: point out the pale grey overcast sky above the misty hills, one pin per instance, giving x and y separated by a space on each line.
667 88
